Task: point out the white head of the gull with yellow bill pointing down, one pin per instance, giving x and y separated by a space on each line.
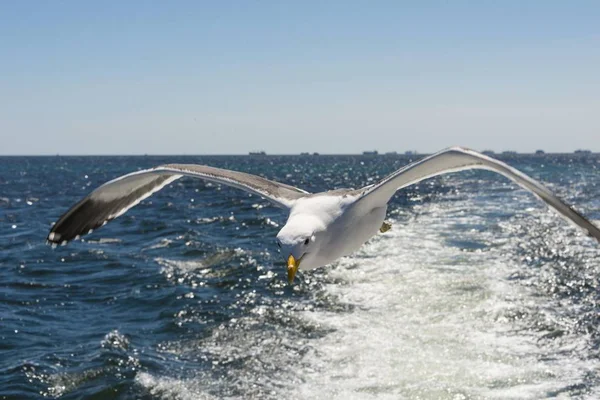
299 242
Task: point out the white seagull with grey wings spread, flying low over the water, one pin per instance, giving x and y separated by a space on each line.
321 227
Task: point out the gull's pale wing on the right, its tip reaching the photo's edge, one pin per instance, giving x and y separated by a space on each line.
459 159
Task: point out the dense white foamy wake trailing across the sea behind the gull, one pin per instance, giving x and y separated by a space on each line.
433 321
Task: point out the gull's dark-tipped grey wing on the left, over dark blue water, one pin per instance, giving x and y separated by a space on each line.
115 197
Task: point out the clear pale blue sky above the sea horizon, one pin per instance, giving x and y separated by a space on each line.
211 77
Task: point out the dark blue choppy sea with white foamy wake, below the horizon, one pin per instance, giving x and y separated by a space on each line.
479 291
